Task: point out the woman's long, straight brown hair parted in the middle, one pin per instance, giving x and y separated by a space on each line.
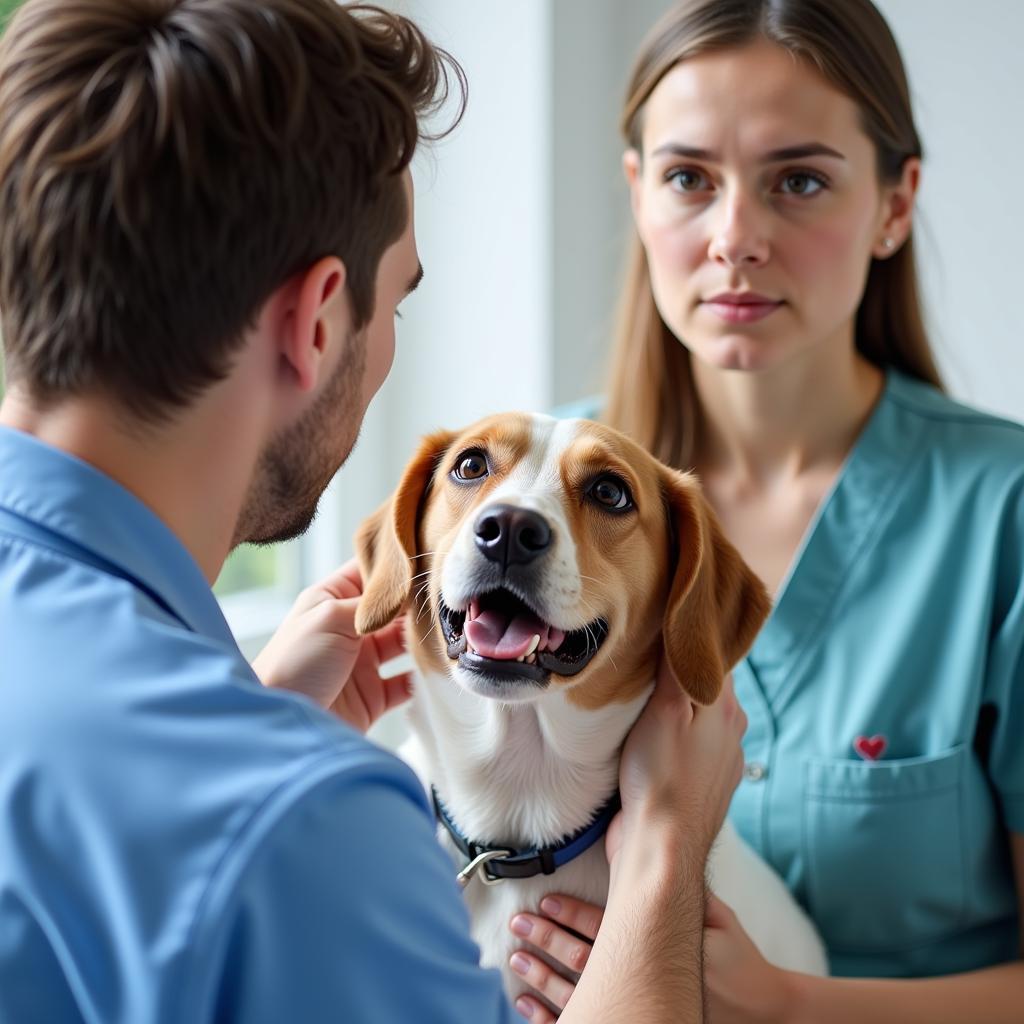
651 393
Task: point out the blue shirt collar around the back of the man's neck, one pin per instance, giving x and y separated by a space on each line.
71 498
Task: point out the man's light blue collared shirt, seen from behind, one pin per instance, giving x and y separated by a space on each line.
177 842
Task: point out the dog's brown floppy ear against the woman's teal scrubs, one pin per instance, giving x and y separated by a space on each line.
716 604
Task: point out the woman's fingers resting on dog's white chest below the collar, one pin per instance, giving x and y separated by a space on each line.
566 934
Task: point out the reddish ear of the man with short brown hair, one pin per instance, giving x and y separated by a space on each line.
315 320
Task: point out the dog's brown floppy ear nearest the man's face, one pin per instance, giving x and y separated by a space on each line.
387 541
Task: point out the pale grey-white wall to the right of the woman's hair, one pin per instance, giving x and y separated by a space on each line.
967 78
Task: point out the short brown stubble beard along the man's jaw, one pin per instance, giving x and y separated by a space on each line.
296 467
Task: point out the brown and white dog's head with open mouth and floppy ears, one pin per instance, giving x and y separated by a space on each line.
536 553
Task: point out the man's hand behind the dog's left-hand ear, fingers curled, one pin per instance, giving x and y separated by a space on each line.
317 652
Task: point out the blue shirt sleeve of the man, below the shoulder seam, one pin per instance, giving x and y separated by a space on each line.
351 913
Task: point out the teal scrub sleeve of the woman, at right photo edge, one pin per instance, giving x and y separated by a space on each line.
1005 679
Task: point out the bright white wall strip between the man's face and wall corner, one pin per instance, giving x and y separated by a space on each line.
477 337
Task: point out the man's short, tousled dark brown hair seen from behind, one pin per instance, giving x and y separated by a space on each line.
165 165
